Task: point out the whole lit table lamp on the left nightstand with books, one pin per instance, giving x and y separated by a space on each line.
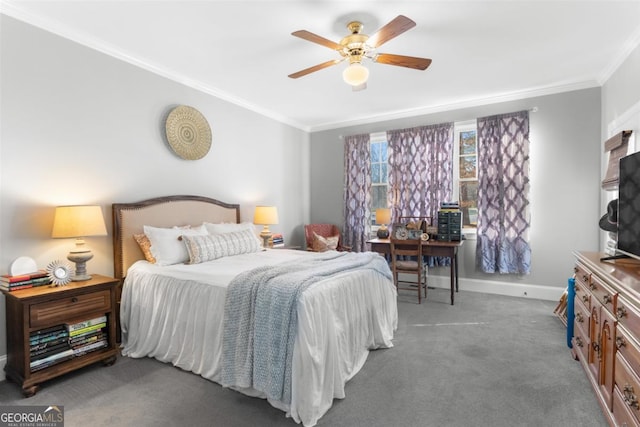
79 222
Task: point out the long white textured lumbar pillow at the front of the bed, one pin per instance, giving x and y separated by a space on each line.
214 246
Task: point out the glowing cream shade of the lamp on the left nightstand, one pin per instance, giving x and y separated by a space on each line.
78 221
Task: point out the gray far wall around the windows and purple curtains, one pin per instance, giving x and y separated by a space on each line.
565 176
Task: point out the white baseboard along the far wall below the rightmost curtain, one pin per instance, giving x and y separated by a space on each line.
549 293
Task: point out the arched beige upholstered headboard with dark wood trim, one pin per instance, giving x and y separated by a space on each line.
129 219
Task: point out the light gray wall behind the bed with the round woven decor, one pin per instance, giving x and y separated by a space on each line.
80 127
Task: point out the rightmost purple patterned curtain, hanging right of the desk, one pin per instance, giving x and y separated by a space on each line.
503 194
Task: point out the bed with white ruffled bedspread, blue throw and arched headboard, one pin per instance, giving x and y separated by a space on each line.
181 313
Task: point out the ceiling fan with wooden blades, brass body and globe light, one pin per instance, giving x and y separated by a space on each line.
357 46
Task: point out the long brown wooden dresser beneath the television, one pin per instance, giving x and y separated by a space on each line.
606 334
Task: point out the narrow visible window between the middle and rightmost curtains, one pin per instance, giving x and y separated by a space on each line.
465 167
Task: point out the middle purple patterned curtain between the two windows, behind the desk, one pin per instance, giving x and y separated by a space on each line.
420 170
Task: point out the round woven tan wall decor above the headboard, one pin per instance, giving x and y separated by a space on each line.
188 133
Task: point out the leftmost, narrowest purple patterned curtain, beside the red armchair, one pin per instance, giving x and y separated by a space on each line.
357 192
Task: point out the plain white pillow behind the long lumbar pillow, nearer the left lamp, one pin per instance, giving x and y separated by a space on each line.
166 247
